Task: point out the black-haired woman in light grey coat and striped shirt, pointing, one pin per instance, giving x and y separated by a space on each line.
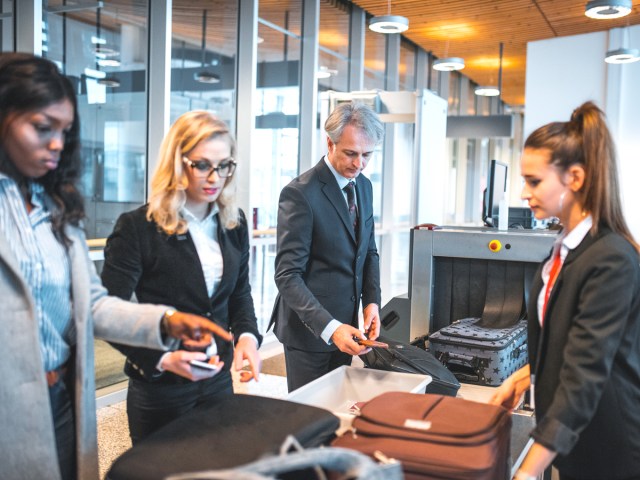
52 300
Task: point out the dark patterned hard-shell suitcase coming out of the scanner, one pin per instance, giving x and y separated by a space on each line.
480 355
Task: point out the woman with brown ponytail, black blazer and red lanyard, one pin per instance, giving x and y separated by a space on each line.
584 309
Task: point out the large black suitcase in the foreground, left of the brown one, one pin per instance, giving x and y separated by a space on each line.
228 432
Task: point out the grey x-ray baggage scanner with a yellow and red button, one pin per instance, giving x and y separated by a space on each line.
461 272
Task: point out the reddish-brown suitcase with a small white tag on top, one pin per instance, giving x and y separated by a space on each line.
434 436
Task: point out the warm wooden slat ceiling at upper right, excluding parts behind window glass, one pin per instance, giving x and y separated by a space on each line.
473 30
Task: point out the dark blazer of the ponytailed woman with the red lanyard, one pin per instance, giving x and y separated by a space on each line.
586 361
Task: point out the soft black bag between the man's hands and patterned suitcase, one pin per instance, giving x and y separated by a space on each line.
400 357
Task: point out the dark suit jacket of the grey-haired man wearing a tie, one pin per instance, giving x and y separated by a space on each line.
321 271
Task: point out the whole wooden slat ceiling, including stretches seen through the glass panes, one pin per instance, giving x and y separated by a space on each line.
471 29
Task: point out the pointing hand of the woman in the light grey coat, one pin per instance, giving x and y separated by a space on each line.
195 331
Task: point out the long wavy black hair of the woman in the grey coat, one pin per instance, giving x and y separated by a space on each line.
28 84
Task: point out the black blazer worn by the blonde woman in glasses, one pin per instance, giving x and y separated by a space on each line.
166 269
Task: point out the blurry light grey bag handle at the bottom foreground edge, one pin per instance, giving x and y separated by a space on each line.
353 464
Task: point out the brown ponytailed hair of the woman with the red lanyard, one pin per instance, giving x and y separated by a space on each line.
585 140
